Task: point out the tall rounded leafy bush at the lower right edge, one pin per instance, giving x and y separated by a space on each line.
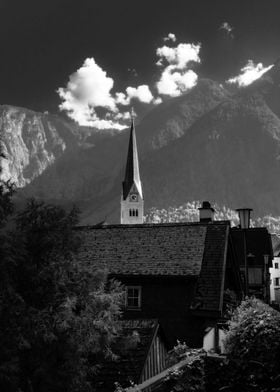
253 347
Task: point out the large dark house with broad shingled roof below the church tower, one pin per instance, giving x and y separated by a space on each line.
181 274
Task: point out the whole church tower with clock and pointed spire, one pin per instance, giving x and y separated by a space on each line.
132 201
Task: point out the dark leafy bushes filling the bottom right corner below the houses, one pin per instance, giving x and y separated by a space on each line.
252 363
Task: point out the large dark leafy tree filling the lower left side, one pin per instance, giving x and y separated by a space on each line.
58 316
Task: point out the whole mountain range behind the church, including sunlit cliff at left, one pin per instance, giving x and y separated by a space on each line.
210 143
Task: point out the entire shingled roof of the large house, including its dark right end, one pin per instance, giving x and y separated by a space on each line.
193 249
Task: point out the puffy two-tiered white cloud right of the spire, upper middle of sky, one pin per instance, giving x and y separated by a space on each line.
177 77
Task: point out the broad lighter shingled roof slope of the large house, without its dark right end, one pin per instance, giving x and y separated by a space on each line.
148 249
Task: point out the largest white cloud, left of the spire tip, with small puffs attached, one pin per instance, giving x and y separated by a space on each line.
90 88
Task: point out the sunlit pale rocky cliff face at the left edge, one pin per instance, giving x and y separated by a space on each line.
31 142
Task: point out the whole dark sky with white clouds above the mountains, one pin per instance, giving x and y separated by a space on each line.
92 60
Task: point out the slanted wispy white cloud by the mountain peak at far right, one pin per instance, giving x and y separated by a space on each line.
249 73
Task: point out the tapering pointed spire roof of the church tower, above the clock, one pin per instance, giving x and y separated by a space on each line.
132 174
